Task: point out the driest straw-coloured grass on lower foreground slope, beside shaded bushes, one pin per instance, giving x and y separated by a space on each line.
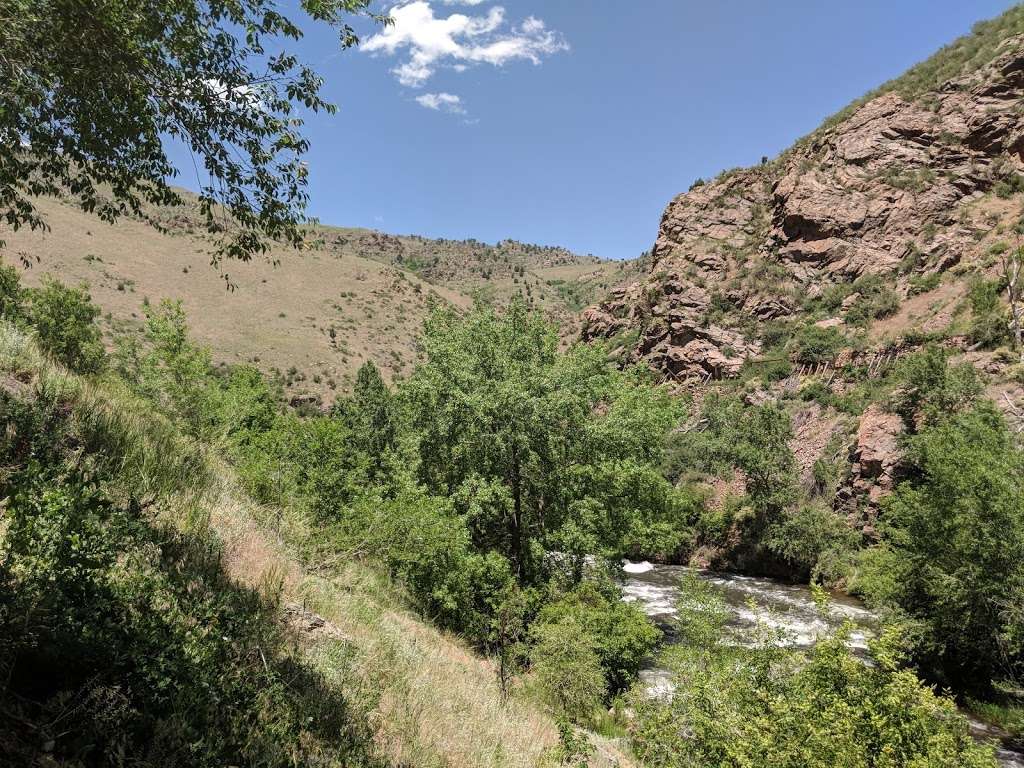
432 700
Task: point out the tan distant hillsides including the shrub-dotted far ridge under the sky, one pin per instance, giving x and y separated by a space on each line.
317 316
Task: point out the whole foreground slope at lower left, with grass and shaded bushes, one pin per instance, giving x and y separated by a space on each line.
343 673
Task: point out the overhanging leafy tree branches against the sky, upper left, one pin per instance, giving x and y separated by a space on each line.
95 91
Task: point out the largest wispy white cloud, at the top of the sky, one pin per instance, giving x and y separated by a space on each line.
459 39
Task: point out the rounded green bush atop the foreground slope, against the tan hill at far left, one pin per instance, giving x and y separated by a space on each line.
65 322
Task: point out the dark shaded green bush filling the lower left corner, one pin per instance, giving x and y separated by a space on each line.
120 637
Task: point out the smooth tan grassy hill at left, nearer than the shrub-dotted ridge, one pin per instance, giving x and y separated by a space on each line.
279 317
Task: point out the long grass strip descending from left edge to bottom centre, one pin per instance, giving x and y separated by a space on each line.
430 701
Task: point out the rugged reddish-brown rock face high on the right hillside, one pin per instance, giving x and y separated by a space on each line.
881 193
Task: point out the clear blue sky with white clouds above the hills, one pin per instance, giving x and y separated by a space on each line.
578 120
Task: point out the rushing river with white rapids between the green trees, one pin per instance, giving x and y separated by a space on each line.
789 608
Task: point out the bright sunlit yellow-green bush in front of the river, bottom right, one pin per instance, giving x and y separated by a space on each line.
767 706
